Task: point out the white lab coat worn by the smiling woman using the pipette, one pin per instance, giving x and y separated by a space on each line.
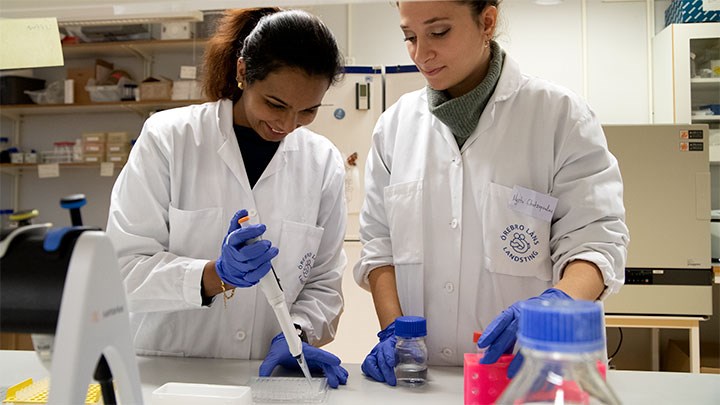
170 210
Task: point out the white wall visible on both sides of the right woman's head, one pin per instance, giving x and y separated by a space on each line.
547 41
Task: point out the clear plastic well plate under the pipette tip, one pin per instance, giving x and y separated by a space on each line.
288 390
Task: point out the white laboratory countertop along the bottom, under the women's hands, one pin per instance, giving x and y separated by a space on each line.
445 384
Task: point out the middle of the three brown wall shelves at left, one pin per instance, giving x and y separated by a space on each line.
140 107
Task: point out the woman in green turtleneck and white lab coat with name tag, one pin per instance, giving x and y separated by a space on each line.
485 189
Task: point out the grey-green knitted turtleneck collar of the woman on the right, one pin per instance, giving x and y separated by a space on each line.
462 114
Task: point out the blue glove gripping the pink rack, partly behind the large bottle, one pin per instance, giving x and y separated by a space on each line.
499 337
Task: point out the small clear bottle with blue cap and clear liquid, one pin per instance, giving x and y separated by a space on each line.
410 351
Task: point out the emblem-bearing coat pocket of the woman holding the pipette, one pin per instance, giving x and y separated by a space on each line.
298 247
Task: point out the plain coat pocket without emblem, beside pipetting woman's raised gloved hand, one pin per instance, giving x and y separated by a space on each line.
184 229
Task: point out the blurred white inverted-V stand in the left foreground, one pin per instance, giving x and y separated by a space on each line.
93 320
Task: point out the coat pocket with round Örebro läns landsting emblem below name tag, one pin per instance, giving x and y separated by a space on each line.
516 244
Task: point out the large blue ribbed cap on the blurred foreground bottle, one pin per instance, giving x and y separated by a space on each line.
561 326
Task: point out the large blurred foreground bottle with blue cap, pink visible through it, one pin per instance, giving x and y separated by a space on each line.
561 342
